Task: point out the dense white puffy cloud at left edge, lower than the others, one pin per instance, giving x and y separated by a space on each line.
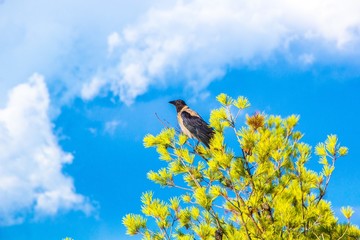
32 183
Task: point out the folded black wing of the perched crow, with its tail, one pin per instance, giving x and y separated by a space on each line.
198 127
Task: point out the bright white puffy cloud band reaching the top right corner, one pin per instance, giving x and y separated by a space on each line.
193 42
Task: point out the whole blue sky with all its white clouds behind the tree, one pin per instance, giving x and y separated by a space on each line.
80 83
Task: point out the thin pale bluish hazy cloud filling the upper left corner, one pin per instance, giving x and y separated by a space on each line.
64 40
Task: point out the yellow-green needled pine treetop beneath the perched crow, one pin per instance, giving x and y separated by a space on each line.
260 190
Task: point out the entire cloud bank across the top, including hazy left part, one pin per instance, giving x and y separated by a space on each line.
172 43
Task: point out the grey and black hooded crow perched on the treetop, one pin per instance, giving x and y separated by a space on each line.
191 124
